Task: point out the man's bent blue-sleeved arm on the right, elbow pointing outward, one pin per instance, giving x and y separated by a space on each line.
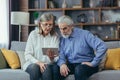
98 45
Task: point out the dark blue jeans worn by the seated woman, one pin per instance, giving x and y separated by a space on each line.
35 73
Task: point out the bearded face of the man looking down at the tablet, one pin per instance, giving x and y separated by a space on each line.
65 29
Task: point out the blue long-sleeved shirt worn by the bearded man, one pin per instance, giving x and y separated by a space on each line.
80 47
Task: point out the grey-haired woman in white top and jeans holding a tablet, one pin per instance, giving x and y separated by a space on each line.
37 64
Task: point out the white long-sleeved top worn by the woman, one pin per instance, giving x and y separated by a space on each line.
35 43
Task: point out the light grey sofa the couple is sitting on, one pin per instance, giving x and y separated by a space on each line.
19 74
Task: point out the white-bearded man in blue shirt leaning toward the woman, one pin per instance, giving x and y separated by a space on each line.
77 49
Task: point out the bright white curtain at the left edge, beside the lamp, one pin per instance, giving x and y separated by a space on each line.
4 23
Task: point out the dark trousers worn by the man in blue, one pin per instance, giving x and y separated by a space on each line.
80 71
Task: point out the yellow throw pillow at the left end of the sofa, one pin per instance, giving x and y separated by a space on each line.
12 58
